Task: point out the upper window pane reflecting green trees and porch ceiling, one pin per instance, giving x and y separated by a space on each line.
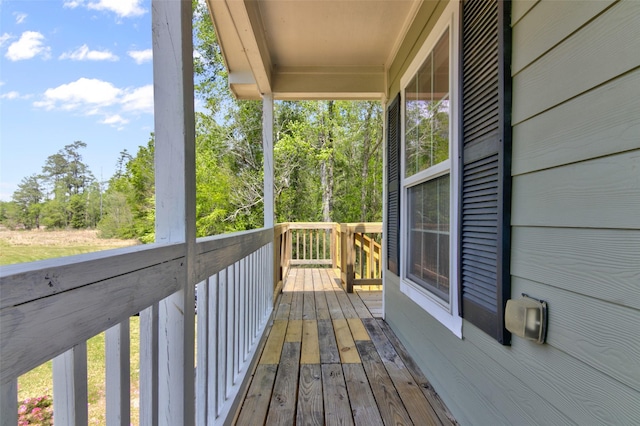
427 111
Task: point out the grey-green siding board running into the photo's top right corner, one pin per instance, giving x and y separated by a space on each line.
602 50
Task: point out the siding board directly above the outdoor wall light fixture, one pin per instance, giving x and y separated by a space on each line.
600 263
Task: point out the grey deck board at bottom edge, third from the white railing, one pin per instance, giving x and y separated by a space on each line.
310 409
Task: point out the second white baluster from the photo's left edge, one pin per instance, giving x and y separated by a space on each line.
70 386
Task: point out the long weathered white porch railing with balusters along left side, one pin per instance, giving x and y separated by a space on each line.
49 309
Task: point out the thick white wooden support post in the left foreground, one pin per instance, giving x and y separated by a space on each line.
175 202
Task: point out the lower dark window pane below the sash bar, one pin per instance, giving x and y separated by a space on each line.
428 257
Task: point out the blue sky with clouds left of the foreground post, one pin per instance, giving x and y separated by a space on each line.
73 70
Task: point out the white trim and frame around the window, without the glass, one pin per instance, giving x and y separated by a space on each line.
447 314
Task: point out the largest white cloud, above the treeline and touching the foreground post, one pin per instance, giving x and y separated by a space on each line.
93 97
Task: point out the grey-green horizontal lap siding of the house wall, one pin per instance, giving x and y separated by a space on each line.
575 229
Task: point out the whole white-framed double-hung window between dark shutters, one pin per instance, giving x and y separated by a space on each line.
429 194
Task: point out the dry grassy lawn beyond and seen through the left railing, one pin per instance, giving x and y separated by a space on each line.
27 246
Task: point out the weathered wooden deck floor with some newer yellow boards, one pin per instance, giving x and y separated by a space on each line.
328 361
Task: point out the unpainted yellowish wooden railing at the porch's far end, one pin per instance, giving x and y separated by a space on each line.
353 248
